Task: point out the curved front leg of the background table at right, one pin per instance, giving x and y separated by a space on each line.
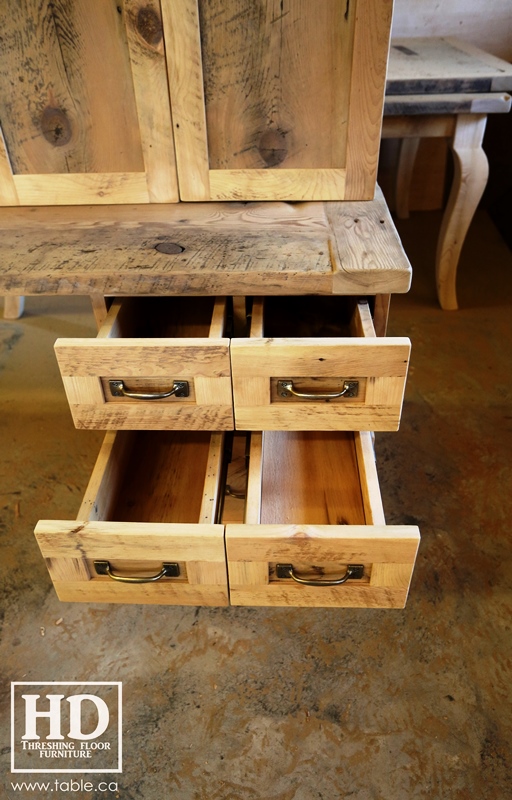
471 170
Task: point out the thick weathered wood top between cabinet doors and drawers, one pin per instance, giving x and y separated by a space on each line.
203 248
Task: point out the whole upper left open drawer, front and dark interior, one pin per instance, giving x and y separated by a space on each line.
158 363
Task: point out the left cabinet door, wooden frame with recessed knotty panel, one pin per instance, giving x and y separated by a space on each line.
84 107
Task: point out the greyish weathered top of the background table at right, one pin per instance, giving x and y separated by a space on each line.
435 65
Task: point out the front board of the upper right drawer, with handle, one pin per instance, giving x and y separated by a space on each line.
349 383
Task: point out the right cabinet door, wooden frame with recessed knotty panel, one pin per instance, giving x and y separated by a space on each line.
277 100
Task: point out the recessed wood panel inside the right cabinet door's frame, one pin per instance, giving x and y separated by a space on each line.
276 78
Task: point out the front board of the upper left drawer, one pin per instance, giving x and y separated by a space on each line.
149 367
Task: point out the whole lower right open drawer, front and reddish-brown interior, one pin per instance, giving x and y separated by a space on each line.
315 532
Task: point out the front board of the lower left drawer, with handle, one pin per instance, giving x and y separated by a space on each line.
80 556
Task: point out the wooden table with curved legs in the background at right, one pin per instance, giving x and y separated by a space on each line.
442 87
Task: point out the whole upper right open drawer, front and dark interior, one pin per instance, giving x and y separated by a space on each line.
314 363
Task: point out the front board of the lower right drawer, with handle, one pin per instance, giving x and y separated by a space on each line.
262 559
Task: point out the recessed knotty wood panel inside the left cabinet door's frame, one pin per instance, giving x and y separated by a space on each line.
71 106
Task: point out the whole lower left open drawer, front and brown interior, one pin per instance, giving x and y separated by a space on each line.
146 531
